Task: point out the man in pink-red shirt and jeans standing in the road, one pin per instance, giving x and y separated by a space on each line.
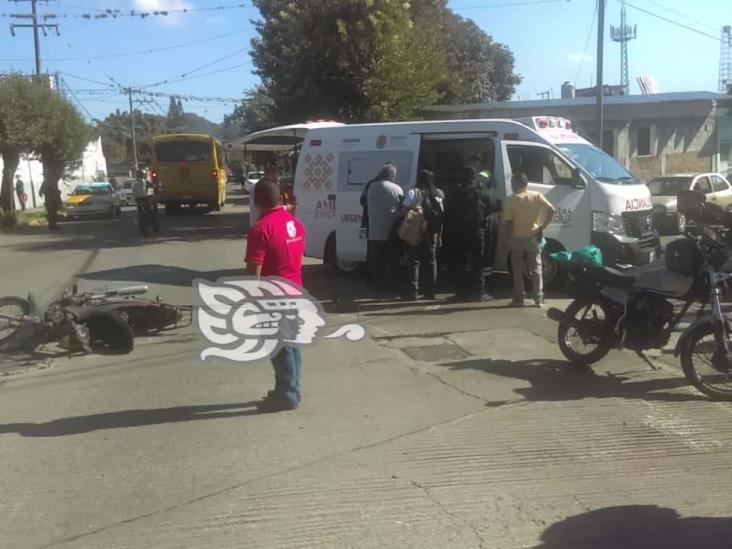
275 247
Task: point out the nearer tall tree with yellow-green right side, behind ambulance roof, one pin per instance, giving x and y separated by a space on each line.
347 59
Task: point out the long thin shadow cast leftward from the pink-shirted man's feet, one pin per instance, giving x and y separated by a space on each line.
129 418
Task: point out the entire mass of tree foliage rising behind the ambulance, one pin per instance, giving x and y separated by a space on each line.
361 60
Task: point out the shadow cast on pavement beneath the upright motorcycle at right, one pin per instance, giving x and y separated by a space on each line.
553 380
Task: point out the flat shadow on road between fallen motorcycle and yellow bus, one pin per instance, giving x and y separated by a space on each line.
160 274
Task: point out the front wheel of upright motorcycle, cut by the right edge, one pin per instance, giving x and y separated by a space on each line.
706 364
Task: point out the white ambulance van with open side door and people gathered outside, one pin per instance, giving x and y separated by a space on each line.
597 200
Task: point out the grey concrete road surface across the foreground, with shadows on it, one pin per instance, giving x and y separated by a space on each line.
449 426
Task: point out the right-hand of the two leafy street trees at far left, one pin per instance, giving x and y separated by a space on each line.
64 138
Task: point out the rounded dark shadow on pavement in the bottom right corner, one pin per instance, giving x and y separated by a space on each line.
637 527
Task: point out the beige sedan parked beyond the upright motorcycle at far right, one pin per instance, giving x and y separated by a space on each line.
665 189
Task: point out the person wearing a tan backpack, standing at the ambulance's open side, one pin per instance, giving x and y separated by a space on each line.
422 232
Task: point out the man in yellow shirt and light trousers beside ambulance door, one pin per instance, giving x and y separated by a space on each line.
526 215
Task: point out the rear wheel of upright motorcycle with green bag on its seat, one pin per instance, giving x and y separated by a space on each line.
591 340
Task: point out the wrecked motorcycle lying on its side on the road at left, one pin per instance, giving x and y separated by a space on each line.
77 321
